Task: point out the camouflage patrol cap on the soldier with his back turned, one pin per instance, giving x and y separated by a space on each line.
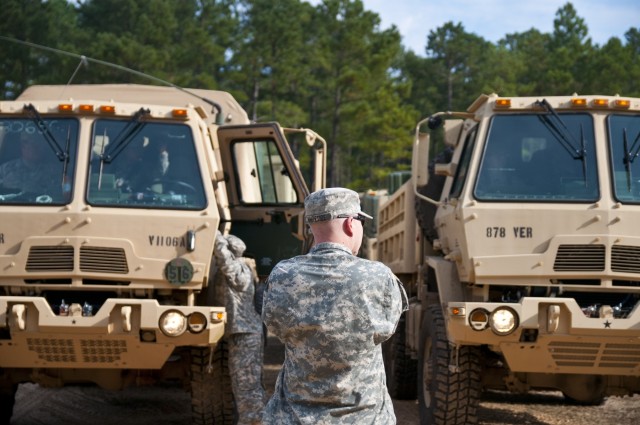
332 203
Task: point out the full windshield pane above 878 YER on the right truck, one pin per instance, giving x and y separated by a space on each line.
525 159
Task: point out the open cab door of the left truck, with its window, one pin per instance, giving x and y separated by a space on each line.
266 192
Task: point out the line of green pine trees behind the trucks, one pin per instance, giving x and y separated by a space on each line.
329 66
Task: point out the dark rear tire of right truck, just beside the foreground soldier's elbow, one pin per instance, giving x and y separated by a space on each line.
399 367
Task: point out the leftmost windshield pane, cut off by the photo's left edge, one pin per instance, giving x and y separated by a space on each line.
37 168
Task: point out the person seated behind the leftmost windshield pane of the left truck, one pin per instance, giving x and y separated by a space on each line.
34 171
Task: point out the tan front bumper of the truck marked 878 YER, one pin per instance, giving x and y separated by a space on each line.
554 336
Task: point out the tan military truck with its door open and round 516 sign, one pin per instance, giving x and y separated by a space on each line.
110 200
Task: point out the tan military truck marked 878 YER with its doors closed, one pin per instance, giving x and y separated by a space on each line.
519 248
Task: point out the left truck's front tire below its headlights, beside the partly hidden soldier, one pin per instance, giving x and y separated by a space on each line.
211 396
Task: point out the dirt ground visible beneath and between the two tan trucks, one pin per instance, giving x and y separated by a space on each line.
171 406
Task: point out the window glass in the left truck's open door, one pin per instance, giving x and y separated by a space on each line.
262 175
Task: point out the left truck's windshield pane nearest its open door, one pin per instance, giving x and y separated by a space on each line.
155 166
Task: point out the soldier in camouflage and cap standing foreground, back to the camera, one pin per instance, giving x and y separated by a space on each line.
332 310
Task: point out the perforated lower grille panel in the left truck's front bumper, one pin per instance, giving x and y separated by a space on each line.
61 350
